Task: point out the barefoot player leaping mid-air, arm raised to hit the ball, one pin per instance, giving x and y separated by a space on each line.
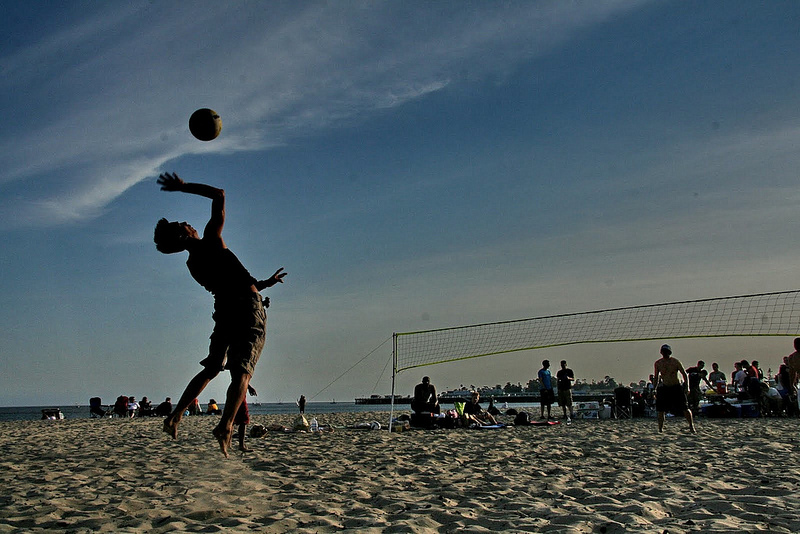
239 313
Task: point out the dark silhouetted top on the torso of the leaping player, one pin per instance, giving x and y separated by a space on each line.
219 271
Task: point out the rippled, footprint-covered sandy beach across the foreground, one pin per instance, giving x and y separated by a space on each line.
117 475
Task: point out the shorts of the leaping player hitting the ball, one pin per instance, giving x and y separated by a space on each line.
238 336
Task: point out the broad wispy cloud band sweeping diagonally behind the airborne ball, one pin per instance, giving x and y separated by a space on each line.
103 104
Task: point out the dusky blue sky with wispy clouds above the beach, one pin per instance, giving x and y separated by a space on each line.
412 165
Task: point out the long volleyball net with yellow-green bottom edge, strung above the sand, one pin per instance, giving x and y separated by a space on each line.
764 314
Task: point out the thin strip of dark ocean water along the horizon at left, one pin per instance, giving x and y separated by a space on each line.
25 413
